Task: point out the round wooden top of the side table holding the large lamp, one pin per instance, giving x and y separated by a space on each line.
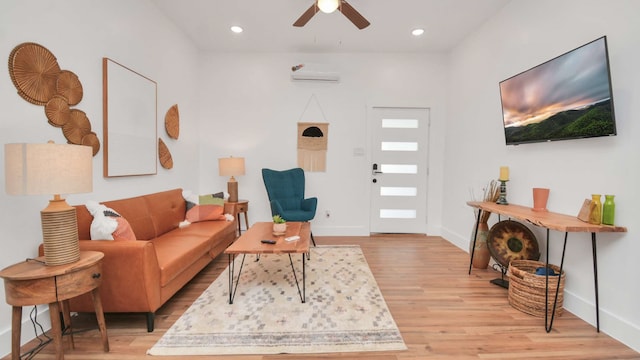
36 268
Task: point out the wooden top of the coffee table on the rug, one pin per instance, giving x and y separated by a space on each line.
250 241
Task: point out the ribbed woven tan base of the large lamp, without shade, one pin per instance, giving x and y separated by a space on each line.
60 234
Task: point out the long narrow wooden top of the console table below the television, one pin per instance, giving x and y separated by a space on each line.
546 219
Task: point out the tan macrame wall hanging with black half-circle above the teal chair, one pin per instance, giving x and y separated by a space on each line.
313 138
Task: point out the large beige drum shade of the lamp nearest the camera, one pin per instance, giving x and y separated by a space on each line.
35 169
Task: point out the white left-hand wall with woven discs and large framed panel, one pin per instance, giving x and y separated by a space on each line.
80 33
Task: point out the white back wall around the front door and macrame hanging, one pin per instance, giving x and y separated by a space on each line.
259 106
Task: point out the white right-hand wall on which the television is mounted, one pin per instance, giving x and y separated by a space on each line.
525 34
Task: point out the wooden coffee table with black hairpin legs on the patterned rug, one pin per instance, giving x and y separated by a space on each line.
251 243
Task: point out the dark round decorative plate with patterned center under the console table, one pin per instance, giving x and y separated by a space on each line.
510 240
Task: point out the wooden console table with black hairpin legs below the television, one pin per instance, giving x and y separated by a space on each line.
550 221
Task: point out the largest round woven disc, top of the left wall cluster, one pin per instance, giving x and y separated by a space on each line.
34 71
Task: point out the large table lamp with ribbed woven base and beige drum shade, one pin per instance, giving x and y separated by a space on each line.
53 169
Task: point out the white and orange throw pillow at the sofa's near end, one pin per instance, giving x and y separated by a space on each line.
107 224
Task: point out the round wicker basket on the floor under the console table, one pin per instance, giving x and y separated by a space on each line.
527 290
